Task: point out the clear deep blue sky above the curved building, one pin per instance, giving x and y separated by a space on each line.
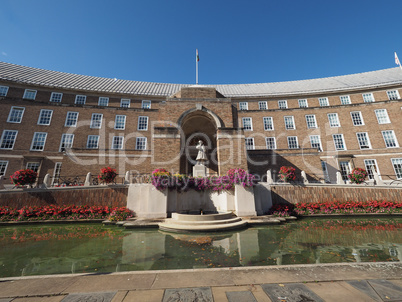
238 41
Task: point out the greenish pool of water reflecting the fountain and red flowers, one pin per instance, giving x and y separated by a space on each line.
91 248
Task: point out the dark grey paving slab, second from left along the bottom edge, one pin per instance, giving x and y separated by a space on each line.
199 294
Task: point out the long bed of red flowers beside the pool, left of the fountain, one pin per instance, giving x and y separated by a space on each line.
54 212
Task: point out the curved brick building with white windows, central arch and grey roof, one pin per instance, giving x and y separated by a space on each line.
67 124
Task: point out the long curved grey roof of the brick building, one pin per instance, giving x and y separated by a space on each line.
62 80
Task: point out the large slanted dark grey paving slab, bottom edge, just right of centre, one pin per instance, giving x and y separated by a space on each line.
292 292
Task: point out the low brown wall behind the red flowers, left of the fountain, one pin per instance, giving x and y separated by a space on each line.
114 196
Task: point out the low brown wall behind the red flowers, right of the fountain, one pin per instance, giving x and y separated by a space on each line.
284 193
